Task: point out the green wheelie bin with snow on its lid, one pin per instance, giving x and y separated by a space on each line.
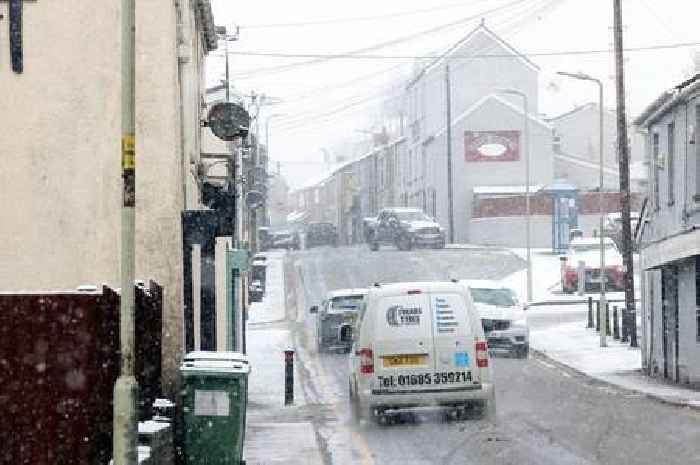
214 398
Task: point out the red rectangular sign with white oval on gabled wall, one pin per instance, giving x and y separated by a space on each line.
491 145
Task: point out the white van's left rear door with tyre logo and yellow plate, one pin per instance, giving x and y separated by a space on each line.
403 342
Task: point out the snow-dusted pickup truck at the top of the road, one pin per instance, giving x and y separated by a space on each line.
406 228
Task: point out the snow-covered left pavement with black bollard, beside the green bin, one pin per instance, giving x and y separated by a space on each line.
272 426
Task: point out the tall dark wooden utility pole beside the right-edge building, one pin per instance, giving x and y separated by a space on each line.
623 152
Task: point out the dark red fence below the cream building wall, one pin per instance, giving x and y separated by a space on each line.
59 359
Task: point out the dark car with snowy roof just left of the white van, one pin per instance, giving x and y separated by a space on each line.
335 317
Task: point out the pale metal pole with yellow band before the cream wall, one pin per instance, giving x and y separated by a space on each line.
126 388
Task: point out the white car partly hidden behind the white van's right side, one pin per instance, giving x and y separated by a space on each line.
502 317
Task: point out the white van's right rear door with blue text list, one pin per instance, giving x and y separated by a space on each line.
455 354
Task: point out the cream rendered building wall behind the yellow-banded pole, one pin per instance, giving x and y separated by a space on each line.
61 186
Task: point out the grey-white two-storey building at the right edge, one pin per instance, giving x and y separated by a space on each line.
670 253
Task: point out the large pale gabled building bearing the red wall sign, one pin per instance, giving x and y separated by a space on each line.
487 131
